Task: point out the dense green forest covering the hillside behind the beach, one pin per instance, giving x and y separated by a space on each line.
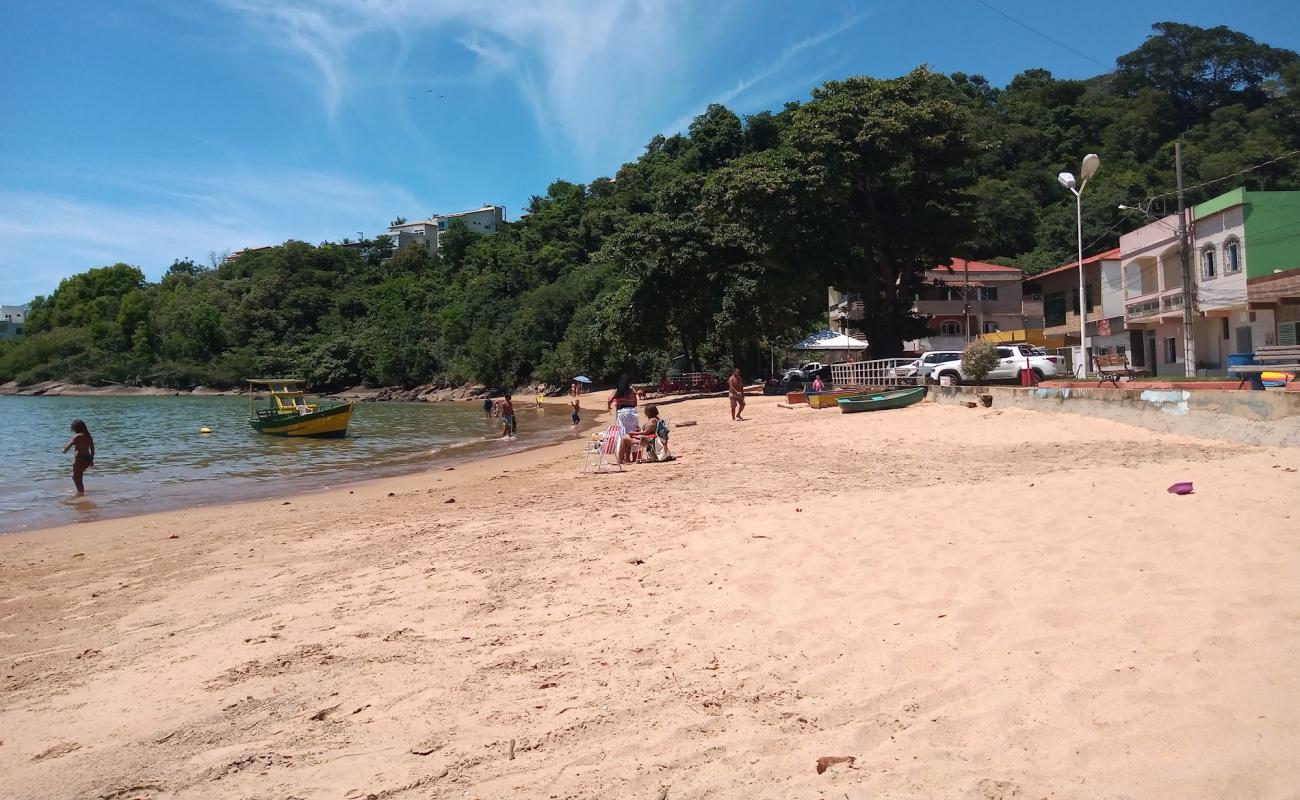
713 247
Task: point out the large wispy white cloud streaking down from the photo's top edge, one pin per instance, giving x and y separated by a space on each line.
584 70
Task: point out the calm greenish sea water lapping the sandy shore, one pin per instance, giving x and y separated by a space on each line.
150 455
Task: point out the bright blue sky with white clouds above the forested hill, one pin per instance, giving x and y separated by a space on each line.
146 131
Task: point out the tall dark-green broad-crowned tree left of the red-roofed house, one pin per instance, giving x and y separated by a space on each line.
890 162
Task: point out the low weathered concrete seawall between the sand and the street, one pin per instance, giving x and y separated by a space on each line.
1250 418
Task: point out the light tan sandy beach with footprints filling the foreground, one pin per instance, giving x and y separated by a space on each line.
969 603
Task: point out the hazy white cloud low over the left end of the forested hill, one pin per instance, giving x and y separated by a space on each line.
46 237
